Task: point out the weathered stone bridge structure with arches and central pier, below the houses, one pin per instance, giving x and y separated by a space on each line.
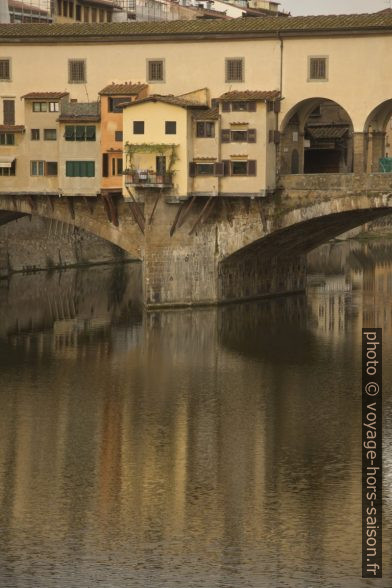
219 249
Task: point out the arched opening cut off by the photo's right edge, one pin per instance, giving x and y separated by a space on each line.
378 139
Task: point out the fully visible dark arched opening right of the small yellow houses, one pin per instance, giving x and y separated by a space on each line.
316 137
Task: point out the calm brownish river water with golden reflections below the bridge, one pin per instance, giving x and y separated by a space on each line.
206 448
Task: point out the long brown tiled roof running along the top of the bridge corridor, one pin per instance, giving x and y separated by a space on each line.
268 26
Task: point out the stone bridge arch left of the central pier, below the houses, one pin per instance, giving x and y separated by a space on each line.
90 216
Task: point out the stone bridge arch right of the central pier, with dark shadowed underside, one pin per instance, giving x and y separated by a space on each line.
274 262
